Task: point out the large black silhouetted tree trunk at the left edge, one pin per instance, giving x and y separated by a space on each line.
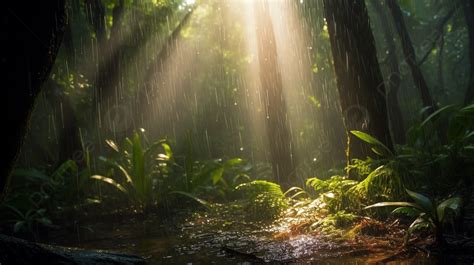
33 36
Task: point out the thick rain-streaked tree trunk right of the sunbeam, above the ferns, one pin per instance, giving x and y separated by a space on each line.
359 79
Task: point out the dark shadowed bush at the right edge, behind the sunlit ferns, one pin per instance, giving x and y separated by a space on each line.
441 148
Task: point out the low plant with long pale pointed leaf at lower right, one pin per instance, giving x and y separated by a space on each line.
427 213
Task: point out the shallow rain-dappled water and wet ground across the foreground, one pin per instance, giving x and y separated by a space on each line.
222 238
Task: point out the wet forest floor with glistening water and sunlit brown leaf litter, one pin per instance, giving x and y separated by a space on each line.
226 234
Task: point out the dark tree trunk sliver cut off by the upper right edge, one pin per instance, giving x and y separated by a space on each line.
469 16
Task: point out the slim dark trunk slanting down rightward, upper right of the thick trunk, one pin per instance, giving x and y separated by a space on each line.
410 55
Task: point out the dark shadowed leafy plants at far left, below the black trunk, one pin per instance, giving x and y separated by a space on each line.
39 193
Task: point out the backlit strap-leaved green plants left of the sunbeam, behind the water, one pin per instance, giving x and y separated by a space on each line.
148 176
